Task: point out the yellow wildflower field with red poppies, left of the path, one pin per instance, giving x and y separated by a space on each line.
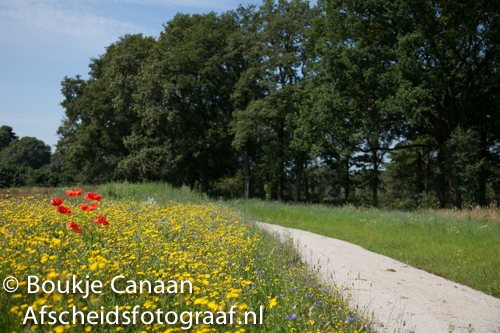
172 267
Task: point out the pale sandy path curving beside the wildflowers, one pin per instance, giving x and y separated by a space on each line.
423 302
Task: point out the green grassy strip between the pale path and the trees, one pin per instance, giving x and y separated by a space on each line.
451 246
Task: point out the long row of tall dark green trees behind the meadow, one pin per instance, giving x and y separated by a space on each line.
346 101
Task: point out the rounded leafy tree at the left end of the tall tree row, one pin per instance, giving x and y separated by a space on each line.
99 112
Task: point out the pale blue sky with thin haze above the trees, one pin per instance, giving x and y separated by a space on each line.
43 41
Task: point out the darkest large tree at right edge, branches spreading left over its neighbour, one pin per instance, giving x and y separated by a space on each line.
444 56
